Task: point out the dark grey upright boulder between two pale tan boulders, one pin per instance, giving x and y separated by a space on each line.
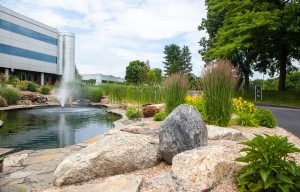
182 130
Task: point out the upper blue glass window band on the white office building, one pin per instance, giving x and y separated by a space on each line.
6 25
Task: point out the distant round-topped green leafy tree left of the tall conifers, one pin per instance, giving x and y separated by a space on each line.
136 72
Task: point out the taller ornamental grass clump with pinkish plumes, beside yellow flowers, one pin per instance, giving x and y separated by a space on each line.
218 90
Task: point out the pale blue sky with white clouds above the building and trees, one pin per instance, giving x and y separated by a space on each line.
110 34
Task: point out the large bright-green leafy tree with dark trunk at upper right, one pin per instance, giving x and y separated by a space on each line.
264 31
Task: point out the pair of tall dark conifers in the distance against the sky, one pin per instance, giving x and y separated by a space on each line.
177 60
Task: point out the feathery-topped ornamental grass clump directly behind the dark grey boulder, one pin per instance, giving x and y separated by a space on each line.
175 89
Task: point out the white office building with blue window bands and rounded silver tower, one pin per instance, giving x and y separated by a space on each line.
34 51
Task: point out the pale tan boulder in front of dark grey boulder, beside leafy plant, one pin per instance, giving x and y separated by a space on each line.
203 168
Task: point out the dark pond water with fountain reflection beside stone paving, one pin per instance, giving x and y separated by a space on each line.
45 128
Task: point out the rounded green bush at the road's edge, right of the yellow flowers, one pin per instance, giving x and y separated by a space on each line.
265 118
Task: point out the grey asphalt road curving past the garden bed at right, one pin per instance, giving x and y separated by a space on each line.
287 118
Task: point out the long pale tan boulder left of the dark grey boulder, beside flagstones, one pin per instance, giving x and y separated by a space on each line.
116 152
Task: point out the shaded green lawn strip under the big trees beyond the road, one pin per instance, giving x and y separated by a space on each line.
290 99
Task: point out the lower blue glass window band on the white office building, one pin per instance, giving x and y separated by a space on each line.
10 50
